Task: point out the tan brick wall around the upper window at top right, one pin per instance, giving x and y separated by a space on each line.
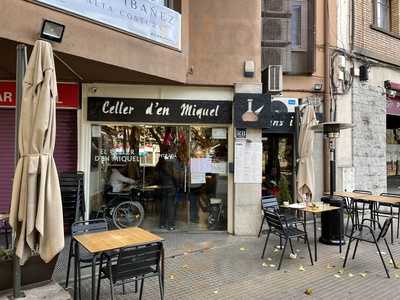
372 42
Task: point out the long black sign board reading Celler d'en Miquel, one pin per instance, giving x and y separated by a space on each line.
159 110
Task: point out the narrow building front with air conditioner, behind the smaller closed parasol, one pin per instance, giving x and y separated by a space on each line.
294 37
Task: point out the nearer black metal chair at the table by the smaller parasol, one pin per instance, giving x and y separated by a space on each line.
278 226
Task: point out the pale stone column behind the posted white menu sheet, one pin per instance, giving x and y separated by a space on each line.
247 209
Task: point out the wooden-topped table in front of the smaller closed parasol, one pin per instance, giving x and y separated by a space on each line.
314 211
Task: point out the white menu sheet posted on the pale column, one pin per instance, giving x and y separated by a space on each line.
248 162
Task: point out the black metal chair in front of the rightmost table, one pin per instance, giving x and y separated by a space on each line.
369 235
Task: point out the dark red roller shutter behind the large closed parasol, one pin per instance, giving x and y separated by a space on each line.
65 152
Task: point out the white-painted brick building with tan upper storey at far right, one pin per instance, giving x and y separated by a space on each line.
366 73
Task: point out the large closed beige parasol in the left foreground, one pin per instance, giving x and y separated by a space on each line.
36 210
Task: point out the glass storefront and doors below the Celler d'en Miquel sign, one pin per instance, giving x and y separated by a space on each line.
178 173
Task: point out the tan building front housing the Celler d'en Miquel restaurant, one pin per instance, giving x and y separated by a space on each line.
164 94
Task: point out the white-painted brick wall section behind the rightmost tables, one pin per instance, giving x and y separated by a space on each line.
369 138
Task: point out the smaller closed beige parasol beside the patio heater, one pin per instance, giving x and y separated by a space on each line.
305 173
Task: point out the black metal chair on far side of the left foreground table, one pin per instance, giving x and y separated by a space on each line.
85 258
